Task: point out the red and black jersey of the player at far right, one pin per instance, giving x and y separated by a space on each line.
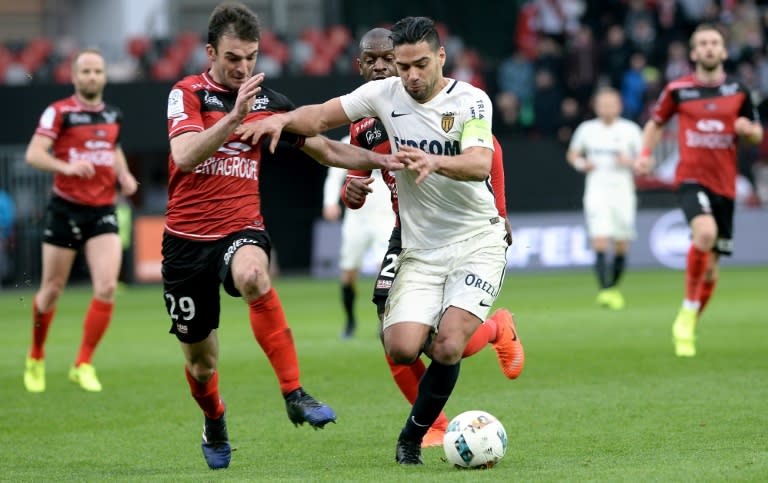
706 135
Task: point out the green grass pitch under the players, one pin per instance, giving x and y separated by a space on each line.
602 396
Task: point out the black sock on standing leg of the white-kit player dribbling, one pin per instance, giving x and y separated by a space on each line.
435 387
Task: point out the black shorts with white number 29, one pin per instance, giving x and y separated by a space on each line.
192 273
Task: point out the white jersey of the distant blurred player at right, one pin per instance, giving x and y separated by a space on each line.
601 143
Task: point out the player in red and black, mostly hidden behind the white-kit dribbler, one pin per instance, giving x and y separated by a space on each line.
376 61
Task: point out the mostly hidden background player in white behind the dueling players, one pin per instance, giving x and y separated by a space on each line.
364 230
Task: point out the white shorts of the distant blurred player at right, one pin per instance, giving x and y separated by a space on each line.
611 216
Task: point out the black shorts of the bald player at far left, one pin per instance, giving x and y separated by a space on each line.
70 225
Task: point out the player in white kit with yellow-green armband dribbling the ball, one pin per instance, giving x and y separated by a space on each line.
452 264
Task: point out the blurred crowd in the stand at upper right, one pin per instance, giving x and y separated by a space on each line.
564 49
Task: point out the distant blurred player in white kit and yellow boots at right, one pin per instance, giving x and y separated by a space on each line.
604 149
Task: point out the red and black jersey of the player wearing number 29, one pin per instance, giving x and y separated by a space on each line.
221 196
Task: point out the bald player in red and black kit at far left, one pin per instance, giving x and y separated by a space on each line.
77 138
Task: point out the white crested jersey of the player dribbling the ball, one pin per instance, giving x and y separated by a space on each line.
439 211
